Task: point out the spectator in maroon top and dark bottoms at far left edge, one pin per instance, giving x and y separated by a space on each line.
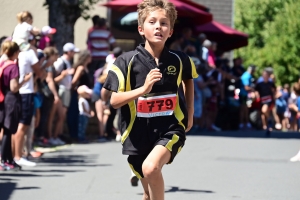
10 107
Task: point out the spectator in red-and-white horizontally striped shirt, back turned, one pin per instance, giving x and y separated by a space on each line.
100 41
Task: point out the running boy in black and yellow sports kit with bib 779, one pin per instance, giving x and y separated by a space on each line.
146 86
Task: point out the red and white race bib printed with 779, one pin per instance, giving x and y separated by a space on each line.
156 106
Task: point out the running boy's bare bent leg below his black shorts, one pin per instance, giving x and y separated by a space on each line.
151 167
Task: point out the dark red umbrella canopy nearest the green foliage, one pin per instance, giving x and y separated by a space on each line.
226 37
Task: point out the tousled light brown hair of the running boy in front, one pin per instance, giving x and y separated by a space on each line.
147 6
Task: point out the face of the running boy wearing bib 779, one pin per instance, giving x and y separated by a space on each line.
156 27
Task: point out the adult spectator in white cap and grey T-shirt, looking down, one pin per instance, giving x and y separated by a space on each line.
63 67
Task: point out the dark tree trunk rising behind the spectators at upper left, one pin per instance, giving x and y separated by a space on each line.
62 16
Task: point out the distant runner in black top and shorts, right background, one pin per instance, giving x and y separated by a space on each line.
265 91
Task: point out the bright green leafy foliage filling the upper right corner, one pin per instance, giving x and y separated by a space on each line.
274 38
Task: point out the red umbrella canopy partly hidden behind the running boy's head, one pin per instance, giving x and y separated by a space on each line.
183 8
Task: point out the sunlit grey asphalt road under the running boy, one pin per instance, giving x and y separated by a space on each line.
211 166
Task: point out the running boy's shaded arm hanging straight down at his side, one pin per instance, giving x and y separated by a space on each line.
189 98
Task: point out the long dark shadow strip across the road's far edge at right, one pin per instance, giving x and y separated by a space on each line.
248 134
